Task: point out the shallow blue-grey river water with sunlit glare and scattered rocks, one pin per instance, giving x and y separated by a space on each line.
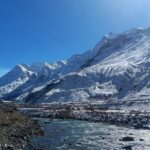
82 135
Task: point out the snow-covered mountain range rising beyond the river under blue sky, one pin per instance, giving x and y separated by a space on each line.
118 67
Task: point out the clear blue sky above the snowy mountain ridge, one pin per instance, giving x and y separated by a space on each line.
50 30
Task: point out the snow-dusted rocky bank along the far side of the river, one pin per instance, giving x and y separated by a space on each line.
91 112
